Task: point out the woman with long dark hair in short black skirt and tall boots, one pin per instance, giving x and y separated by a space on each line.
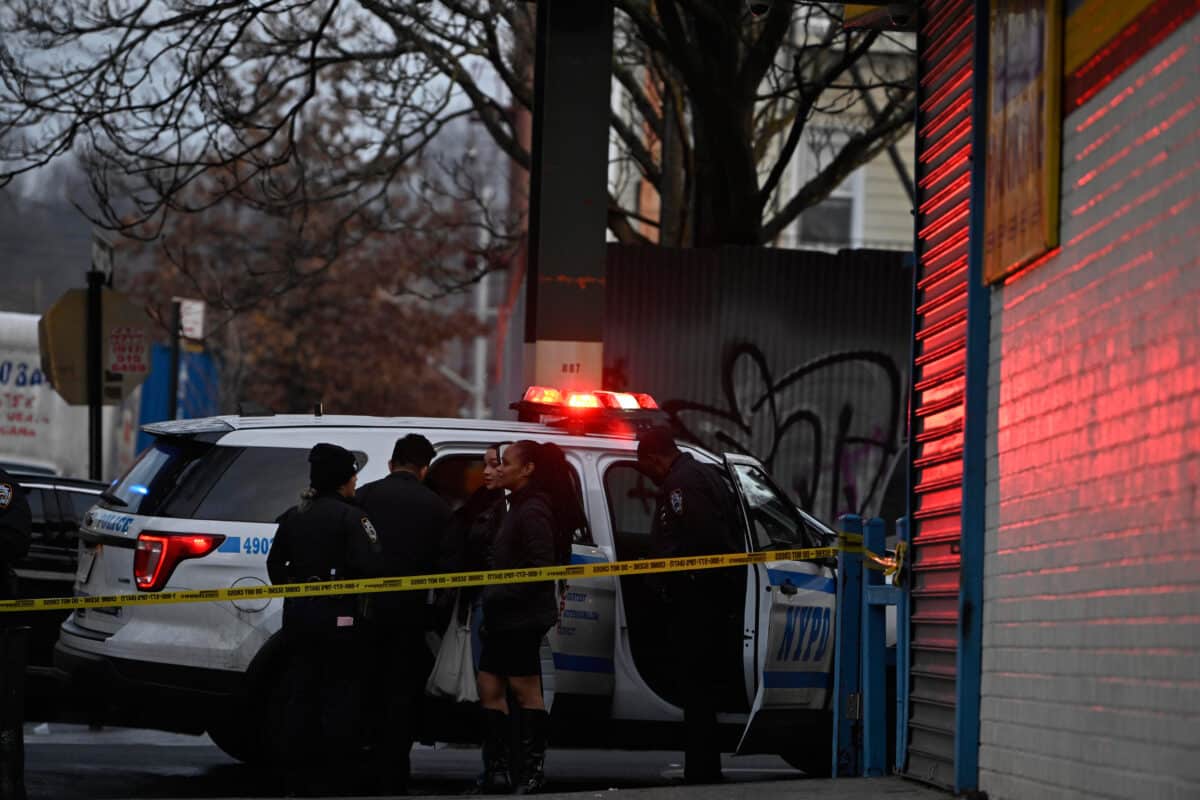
517 617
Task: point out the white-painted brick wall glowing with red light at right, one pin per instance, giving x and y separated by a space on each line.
1091 684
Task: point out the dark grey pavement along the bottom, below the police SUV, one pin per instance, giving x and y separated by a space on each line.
67 762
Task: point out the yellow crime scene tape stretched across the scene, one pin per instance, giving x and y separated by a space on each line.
848 543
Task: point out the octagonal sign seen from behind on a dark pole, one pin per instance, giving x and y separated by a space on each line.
125 346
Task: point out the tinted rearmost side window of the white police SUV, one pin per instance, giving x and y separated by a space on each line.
259 485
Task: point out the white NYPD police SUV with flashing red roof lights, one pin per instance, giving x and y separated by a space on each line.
199 512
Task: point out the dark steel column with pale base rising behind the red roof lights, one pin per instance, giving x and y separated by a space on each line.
569 195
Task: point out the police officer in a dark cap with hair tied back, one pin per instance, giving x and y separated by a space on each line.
325 538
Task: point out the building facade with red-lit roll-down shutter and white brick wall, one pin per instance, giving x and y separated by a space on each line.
1057 419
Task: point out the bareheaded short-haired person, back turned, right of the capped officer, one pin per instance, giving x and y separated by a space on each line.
412 521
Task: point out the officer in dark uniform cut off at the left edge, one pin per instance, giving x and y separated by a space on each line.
16 531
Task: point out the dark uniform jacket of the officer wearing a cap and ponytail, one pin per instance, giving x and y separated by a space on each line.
325 538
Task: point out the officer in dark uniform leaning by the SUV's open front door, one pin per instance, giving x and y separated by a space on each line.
698 515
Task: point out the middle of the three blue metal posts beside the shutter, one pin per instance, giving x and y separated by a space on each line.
877 598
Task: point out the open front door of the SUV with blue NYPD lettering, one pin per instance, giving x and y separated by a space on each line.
790 675
